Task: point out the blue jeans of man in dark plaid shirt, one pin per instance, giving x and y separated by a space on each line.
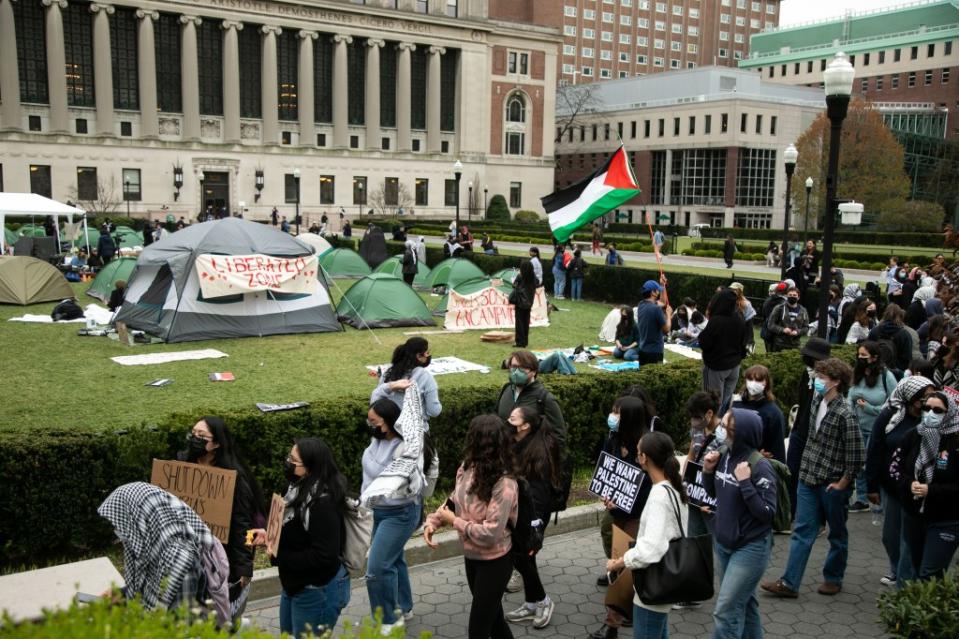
813 503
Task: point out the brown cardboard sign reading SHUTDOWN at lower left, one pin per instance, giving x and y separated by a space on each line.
208 490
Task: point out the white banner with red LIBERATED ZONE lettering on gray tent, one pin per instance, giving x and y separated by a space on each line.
222 275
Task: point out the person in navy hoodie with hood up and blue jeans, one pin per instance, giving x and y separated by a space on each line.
746 503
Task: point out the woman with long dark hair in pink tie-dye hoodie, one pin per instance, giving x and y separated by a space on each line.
484 502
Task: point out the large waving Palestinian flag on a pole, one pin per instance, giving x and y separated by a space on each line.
591 197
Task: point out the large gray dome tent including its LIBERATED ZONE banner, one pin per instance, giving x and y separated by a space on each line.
182 287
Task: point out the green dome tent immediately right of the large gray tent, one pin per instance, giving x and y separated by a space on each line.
381 300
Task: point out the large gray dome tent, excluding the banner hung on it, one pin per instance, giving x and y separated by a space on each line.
164 296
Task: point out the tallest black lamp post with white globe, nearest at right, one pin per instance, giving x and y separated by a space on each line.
838 79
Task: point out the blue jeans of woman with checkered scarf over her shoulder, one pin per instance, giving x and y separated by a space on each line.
387 578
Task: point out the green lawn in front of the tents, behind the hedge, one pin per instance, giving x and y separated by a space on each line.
54 378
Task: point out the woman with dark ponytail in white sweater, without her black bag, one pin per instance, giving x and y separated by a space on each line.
658 525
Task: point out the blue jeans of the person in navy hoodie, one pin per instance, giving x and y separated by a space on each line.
737 610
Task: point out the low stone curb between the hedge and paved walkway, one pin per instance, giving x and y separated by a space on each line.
266 582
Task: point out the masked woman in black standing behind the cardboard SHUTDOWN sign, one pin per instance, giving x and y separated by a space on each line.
210 443
